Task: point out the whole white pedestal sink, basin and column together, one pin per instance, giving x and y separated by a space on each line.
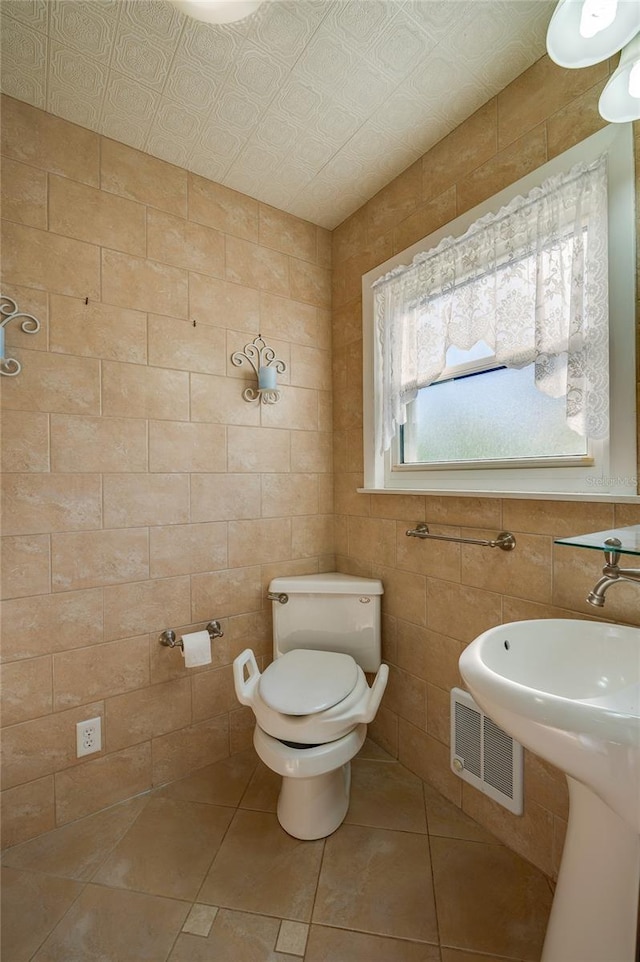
569 690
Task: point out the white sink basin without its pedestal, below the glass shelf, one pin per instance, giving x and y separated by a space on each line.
570 691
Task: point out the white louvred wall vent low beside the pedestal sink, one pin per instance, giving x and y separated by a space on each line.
483 754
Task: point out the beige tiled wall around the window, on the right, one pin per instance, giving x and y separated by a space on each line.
438 597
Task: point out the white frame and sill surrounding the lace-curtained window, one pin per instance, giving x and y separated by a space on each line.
611 468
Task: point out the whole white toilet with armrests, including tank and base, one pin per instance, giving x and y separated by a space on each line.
313 702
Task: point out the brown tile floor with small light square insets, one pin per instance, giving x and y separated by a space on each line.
200 871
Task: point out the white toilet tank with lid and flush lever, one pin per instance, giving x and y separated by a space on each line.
329 612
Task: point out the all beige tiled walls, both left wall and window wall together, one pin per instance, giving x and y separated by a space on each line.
143 493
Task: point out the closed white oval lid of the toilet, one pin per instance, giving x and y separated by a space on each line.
304 681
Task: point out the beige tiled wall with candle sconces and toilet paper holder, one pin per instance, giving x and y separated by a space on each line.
141 492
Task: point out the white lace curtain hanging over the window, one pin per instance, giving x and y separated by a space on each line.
530 281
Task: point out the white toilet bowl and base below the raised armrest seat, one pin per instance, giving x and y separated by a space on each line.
314 797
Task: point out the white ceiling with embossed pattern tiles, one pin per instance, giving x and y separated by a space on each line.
309 105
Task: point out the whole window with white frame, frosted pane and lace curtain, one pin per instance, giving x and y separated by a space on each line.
487 361
